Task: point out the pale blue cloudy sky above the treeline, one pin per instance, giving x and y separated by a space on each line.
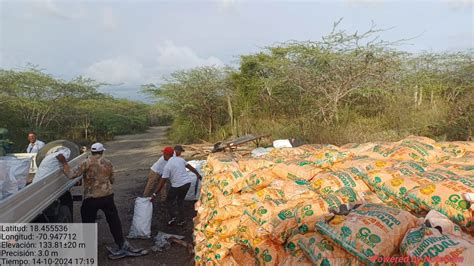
127 43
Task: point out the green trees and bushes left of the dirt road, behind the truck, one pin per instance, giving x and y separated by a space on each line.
58 109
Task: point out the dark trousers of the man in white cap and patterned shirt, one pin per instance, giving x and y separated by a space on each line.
89 209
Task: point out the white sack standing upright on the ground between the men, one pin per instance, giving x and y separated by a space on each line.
142 215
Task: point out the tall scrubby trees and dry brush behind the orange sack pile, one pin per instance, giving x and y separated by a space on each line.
344 88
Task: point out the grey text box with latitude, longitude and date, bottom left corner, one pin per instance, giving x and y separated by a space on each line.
46 244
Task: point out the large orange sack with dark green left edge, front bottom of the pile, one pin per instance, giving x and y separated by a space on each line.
369 230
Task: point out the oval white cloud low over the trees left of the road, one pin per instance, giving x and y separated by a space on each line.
117 71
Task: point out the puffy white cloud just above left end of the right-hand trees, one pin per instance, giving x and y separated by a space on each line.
171 56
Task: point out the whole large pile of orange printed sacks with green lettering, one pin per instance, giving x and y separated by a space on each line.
276 209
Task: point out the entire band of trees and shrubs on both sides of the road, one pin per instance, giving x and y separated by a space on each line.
347 87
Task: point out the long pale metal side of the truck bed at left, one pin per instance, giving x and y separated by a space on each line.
28 203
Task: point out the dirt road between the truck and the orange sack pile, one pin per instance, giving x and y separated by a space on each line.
132 156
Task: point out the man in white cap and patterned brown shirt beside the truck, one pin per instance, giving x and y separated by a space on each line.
98 193
